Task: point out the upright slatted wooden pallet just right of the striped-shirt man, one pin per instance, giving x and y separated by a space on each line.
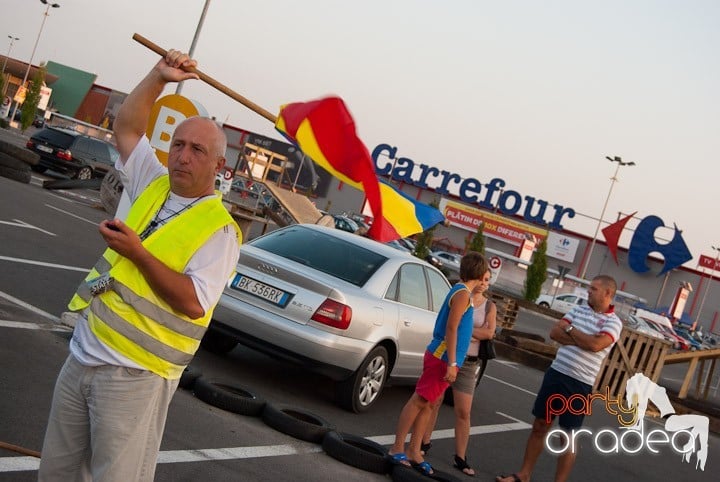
634 353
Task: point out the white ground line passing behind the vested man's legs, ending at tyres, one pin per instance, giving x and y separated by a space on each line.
20 464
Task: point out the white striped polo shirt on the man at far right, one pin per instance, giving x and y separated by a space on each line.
584 365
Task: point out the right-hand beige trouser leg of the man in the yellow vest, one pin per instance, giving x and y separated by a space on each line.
128 408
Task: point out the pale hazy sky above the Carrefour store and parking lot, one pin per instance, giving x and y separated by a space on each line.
537 93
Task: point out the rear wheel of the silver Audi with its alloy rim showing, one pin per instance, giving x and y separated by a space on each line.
363 388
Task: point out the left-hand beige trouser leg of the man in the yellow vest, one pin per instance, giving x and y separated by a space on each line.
66 448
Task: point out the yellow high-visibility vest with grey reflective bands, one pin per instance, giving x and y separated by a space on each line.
130 318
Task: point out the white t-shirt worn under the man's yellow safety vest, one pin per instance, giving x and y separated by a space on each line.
209 268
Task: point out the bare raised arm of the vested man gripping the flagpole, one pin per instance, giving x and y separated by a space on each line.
132 118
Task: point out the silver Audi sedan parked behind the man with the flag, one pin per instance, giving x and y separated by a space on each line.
340 304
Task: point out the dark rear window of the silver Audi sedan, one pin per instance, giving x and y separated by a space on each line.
320 251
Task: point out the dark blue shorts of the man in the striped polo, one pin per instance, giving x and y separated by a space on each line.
556 383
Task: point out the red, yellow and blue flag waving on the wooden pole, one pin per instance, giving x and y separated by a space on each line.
325 131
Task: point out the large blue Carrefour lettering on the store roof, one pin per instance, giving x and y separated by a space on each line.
491 195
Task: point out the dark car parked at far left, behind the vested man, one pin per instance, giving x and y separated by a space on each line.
69 152
